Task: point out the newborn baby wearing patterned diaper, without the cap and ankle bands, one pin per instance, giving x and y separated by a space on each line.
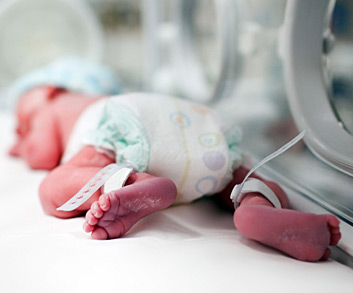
180 151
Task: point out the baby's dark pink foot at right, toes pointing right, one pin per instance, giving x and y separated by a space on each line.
304 236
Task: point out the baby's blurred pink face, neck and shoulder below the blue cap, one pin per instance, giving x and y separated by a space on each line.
46 114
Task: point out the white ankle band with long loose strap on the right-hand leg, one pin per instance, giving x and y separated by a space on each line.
255 185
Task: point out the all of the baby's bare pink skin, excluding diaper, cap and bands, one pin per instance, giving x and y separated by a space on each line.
43 119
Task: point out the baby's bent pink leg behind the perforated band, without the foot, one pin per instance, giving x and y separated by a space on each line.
66 180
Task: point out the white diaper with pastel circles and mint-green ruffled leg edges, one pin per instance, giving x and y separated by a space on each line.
166 137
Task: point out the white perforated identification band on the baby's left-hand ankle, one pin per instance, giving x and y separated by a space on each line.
111 177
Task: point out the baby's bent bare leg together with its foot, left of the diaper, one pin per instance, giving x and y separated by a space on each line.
142 195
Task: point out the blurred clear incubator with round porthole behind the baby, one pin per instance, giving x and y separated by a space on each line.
276 66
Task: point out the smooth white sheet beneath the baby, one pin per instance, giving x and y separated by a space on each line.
191 248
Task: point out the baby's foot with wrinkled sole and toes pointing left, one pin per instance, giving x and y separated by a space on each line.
117 211
